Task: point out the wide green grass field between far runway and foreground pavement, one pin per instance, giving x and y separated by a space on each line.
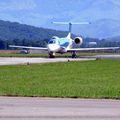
87 79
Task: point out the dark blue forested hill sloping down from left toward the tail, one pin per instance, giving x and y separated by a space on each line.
14 30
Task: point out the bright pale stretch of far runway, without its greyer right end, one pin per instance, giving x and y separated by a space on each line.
16 60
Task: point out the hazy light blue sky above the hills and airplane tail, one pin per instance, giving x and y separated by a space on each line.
41 13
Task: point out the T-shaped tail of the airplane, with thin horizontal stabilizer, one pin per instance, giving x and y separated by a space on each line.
70 24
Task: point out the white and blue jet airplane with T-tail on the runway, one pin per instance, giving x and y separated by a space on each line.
65 44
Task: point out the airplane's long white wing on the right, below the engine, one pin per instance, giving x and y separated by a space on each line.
90 49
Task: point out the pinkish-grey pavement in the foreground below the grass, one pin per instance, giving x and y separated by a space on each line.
18 108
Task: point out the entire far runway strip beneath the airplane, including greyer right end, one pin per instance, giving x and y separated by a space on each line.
27 60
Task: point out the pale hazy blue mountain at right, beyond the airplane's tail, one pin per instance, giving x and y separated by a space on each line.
102 28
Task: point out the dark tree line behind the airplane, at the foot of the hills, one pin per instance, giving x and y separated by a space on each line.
4 44
